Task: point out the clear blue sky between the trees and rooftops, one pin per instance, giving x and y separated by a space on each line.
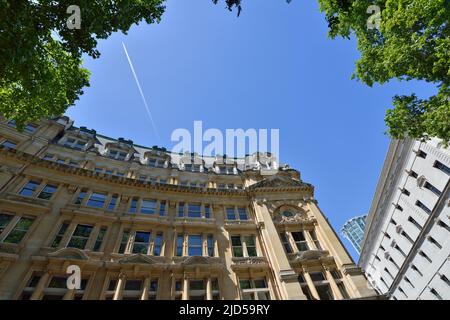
273 67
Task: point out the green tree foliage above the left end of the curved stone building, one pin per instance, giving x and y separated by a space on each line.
40 57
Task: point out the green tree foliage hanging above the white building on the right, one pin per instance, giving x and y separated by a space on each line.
412 42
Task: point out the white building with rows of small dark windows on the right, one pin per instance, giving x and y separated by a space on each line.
406 247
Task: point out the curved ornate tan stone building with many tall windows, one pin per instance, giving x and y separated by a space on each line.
142 223
